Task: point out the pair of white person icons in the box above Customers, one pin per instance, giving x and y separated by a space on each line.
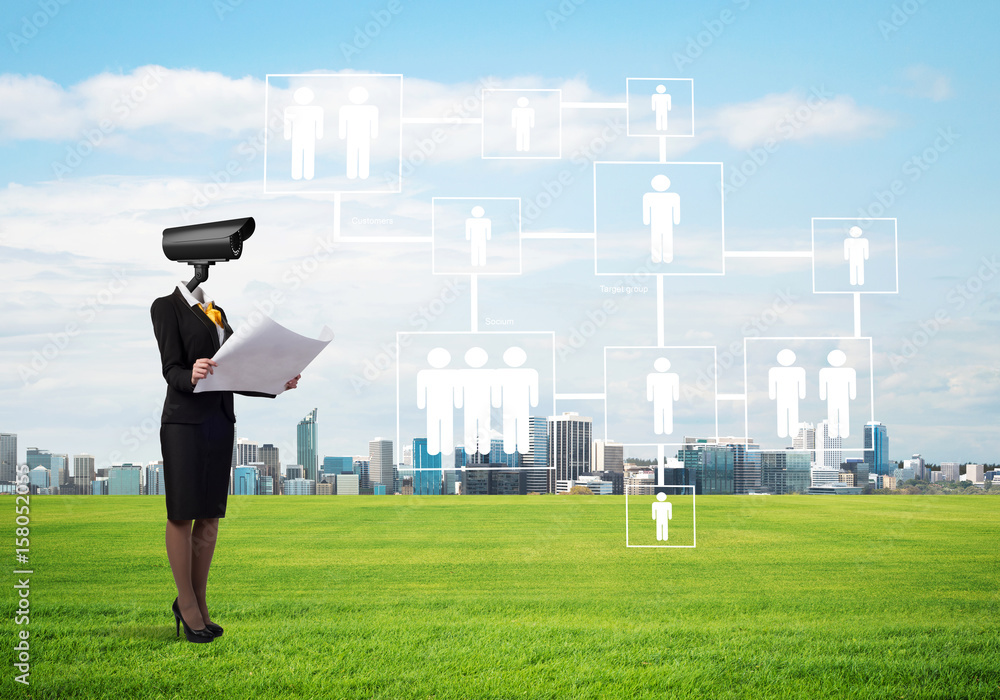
358 125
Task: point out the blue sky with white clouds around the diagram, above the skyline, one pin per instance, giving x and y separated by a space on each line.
903 81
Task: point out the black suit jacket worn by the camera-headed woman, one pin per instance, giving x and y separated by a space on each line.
184 334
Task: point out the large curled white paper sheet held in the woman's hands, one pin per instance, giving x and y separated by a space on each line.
262 358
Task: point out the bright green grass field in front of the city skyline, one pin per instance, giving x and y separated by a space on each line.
522 597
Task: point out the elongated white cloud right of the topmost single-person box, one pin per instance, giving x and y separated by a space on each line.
794 116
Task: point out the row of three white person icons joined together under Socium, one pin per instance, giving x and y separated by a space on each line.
441 389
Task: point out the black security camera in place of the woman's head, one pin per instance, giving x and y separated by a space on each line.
205 244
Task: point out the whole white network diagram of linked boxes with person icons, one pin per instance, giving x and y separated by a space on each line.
652 219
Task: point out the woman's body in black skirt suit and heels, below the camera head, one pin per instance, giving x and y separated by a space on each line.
196 440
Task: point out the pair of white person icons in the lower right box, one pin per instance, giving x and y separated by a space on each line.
838 385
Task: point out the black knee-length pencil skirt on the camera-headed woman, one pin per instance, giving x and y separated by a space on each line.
197 458
